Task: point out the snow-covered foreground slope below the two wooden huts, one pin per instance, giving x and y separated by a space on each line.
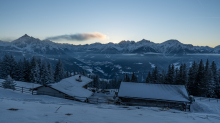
42 109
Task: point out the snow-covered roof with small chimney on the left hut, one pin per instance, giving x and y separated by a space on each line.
72 87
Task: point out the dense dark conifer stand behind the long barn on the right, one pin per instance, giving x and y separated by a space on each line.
200 79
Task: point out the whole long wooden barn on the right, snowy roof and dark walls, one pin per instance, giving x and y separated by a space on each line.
161 95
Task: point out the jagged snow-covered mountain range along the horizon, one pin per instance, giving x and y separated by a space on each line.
33 45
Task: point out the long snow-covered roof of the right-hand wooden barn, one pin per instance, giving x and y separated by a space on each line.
153 91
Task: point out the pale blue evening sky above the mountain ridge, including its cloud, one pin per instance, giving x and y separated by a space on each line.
194 22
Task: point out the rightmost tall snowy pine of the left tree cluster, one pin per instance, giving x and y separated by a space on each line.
59 72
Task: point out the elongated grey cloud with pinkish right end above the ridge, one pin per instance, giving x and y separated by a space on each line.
79 37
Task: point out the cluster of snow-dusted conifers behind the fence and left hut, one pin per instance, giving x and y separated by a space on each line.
34 71
